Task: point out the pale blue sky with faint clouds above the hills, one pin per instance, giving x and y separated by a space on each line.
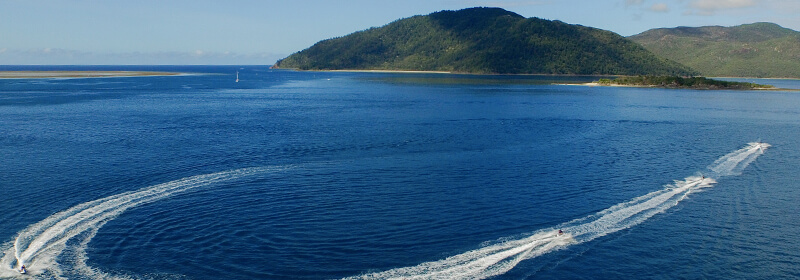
262 31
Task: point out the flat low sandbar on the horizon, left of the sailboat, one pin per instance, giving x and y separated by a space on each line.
80 74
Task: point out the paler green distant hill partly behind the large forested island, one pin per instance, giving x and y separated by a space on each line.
750 50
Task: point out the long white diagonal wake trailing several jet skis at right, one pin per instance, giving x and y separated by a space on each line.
499 258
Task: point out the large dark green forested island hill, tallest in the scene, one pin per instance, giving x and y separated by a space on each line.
484 40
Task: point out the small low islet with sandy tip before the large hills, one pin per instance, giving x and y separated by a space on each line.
679 82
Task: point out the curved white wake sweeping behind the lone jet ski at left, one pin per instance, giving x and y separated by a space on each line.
39 246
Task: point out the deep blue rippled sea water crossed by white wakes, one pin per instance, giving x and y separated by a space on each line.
321 175
